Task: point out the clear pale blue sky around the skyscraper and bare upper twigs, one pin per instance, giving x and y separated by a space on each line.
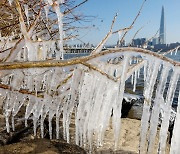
104 11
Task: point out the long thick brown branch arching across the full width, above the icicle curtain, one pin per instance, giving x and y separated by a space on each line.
56 63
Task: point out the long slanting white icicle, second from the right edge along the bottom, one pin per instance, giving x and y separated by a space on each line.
167 111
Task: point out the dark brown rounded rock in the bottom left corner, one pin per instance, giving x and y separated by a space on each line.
43 146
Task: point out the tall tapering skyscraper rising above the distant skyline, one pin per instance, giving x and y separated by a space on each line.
162 33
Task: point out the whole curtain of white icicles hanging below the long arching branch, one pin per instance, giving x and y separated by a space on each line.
92 97
